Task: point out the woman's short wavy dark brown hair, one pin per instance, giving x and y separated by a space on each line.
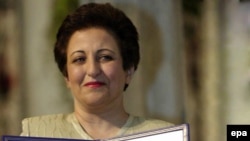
103 16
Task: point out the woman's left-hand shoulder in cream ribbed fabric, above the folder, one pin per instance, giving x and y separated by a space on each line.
59 125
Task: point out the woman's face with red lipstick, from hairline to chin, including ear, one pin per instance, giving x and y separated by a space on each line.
94 65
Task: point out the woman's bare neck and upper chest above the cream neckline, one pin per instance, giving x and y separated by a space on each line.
101 123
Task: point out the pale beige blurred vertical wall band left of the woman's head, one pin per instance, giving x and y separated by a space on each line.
43 86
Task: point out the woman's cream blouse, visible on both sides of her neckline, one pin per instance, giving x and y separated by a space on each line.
67 126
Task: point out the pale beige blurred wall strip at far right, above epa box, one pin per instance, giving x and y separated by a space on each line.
237 48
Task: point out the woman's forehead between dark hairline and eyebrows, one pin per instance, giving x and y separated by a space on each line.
92 38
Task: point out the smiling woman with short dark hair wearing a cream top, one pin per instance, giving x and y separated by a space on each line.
97 51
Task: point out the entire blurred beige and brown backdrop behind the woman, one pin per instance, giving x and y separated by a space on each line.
195 62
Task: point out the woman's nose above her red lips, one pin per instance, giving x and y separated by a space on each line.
93 68
